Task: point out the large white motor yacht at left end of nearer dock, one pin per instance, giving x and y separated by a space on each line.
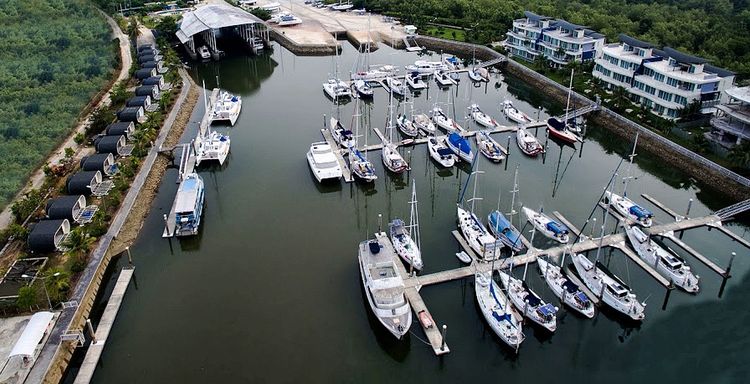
384 288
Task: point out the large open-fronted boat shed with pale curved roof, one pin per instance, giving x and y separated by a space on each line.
214 21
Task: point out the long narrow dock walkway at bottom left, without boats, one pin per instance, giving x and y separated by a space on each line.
96 347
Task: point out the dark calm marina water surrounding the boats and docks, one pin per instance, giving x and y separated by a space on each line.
269 291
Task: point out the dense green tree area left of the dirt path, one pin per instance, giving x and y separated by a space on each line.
56 56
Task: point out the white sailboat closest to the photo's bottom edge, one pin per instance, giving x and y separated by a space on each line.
497 310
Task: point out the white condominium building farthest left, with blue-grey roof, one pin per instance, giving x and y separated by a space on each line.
558 40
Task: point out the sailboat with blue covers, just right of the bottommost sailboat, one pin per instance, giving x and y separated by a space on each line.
529 303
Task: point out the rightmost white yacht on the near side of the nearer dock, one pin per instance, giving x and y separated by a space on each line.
665 262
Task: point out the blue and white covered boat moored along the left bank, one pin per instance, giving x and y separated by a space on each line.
189 205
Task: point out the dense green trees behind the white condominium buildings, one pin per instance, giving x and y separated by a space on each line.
718 30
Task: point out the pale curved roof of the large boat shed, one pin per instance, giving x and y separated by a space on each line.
213 16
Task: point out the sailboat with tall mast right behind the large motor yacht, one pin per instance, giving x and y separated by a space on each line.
406 239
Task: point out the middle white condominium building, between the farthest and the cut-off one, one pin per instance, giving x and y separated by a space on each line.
665 81
